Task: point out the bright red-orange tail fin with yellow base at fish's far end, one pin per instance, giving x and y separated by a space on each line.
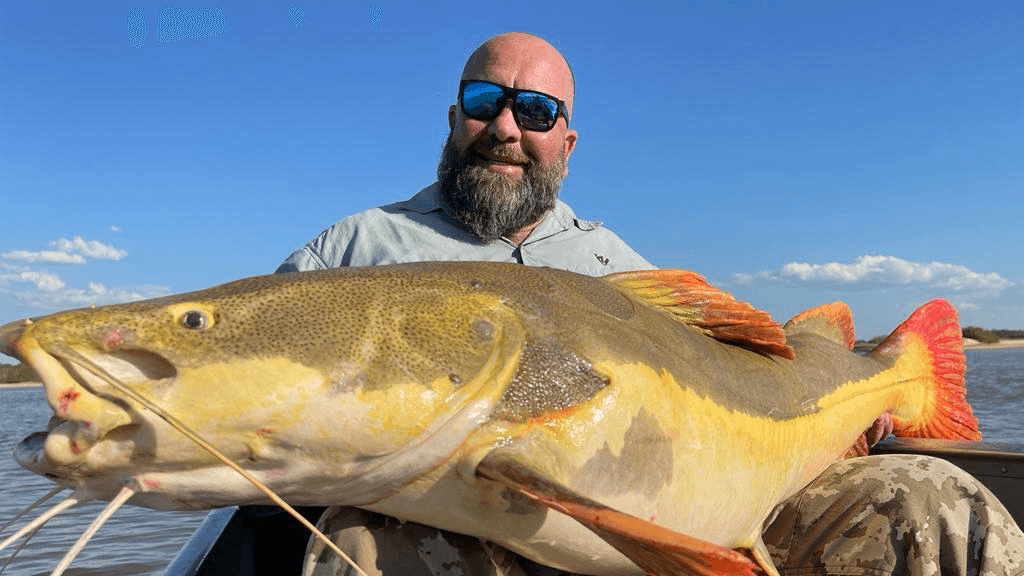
929 346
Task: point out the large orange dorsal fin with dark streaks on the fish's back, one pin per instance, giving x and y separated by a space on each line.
711 311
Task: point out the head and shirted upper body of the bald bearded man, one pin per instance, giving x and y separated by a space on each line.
497 192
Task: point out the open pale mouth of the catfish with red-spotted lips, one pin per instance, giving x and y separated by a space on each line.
86 390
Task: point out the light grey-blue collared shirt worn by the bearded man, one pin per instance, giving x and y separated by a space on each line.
419 230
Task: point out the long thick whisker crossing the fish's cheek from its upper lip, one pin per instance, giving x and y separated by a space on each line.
178 425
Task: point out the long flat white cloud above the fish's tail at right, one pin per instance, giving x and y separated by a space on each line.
885 271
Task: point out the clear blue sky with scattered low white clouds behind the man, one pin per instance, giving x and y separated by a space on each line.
794 153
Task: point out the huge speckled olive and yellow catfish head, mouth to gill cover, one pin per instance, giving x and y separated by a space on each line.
333 388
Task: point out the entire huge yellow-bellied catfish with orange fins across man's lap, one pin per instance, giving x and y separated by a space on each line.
638 423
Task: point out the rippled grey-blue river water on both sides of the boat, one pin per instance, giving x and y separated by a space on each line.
140 542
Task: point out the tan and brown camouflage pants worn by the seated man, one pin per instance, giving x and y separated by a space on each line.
875 516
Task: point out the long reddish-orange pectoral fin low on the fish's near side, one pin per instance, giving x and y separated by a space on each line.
655 549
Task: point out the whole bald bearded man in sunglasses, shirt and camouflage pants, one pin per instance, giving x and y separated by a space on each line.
497 199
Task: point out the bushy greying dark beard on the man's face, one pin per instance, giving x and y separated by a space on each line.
496 205
